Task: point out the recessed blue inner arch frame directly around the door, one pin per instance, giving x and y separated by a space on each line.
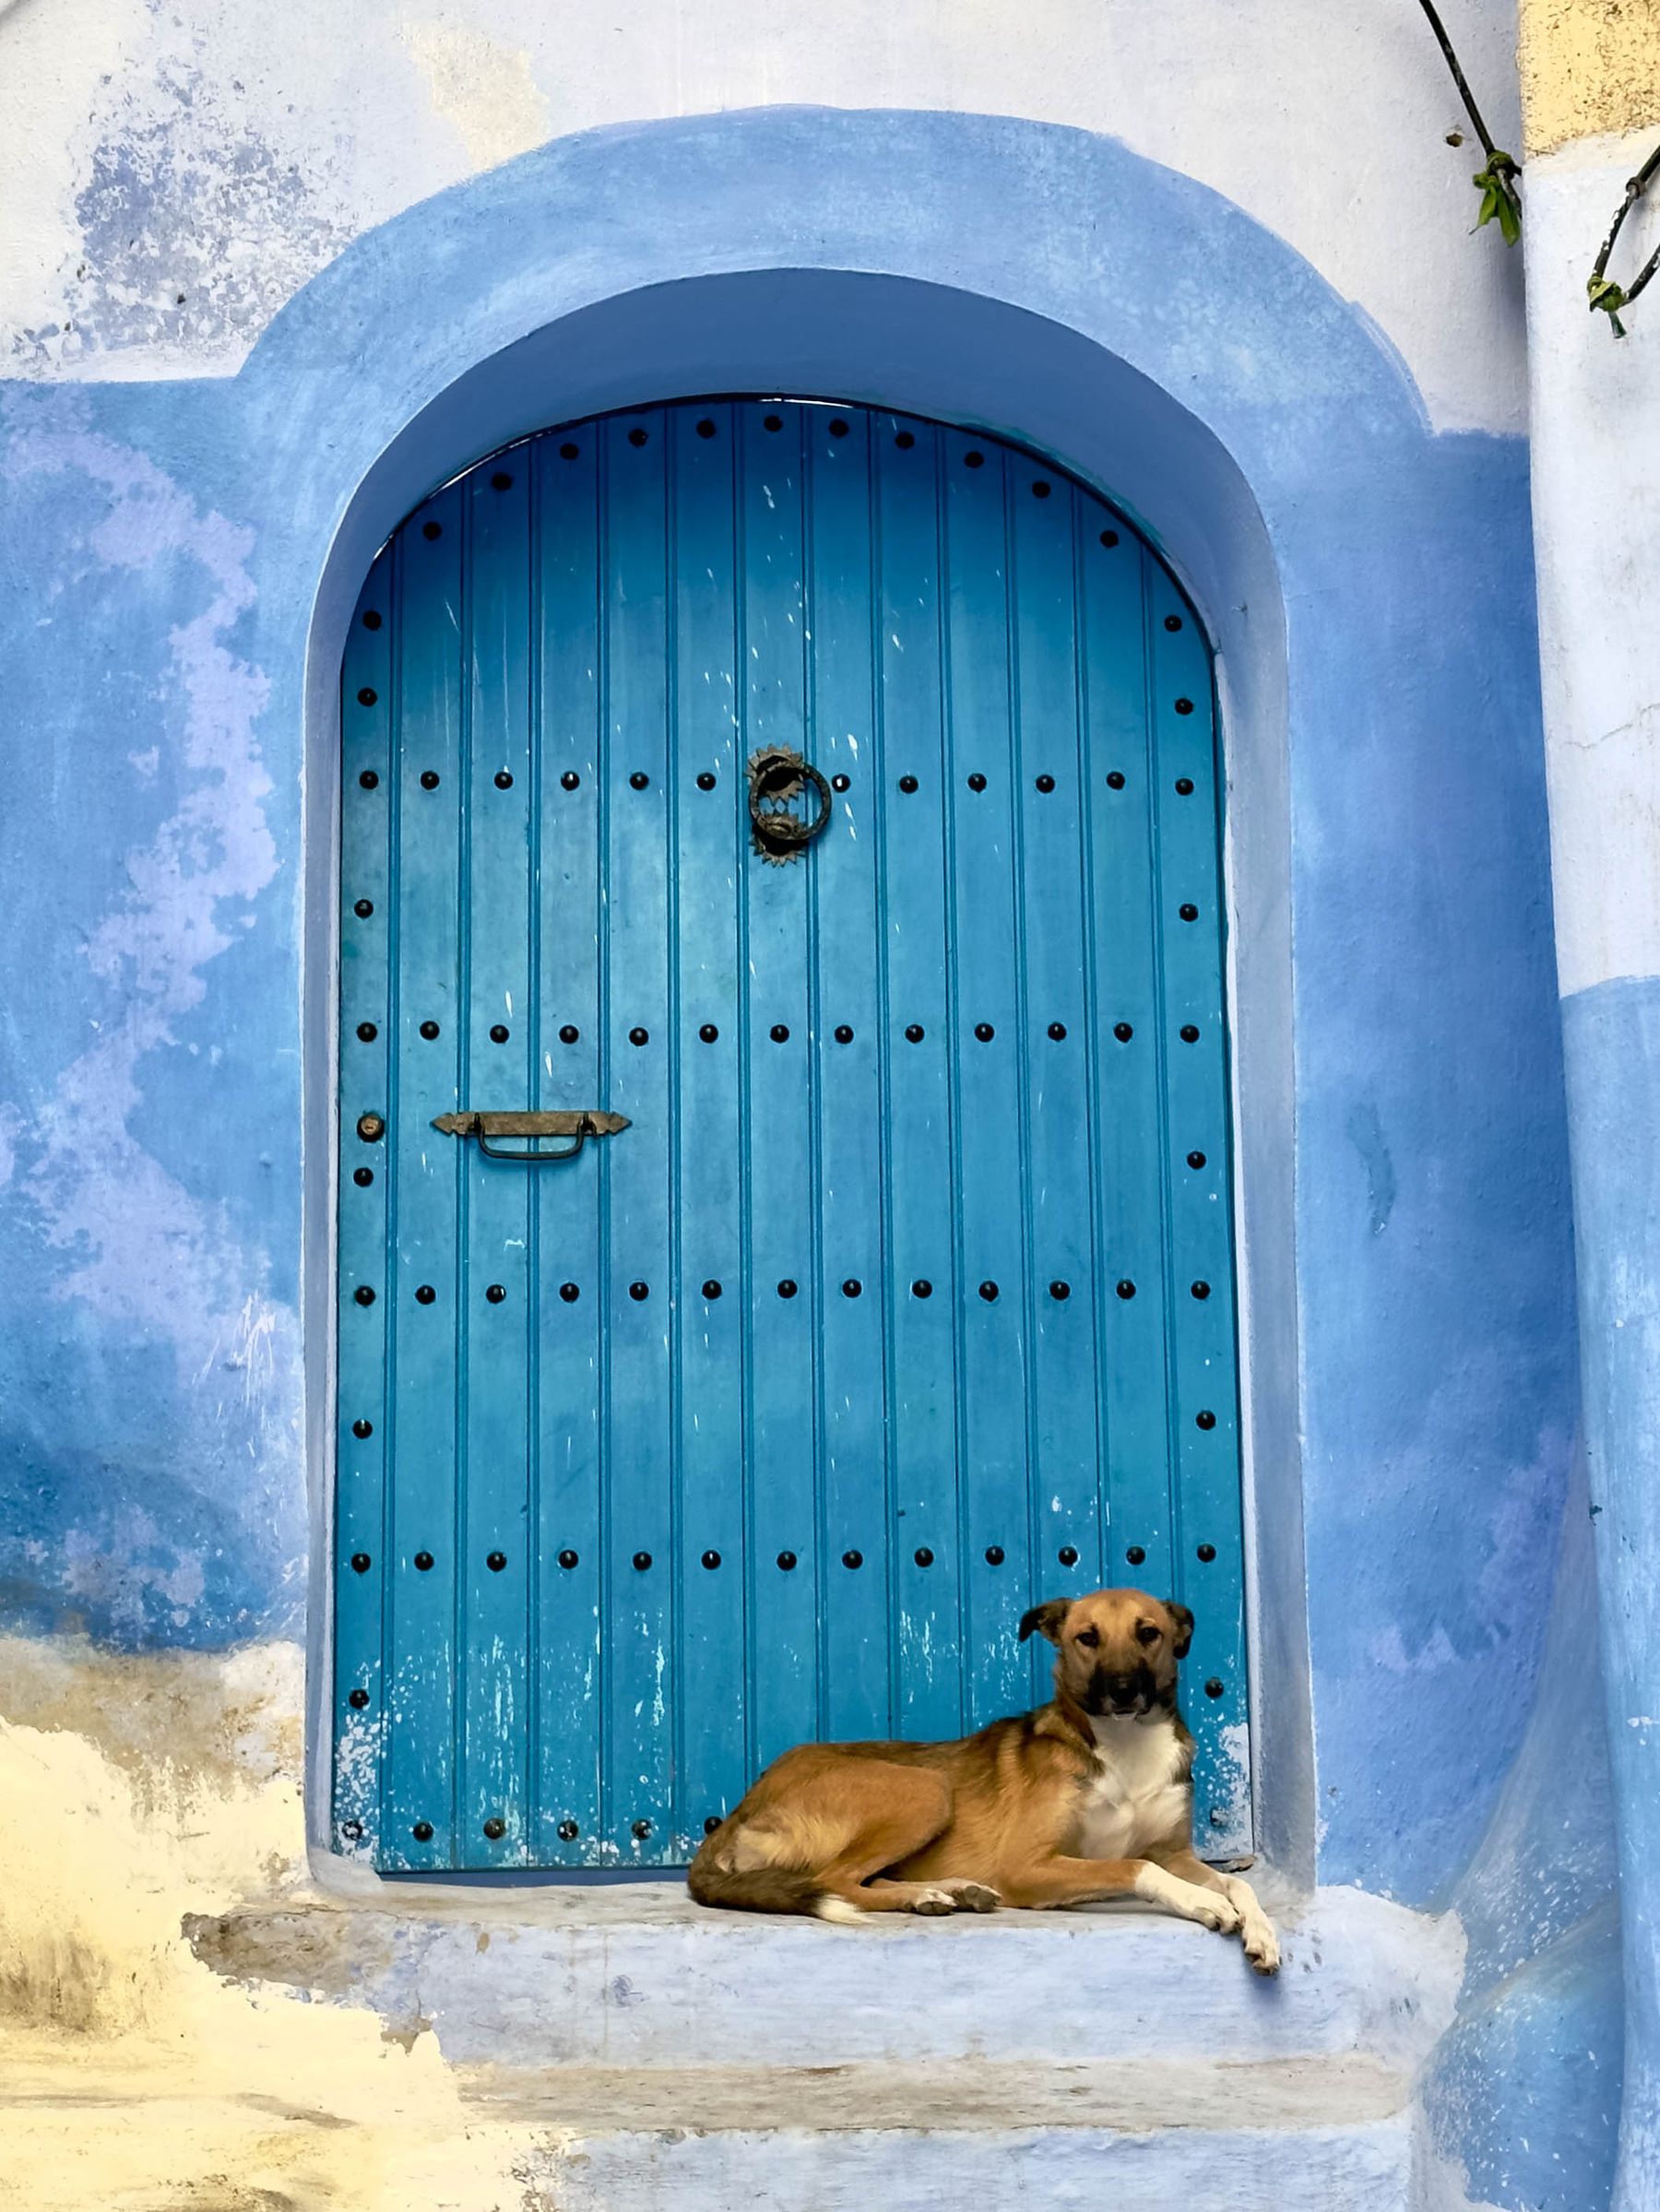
1121 437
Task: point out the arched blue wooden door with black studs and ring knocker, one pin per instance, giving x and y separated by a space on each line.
906 1295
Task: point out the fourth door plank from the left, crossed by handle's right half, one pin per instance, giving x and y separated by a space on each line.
572 1070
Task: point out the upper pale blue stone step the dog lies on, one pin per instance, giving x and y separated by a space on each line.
643 1979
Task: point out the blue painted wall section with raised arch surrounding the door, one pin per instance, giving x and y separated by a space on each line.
1369 589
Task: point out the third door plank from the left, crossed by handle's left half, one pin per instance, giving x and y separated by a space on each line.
499 1045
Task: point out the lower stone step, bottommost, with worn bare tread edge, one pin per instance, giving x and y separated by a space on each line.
1291 2136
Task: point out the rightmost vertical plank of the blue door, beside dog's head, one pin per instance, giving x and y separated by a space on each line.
1187 808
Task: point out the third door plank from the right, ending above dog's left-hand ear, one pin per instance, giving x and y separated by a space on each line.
1066 1280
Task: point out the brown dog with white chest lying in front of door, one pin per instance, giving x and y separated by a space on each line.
1090 1797
